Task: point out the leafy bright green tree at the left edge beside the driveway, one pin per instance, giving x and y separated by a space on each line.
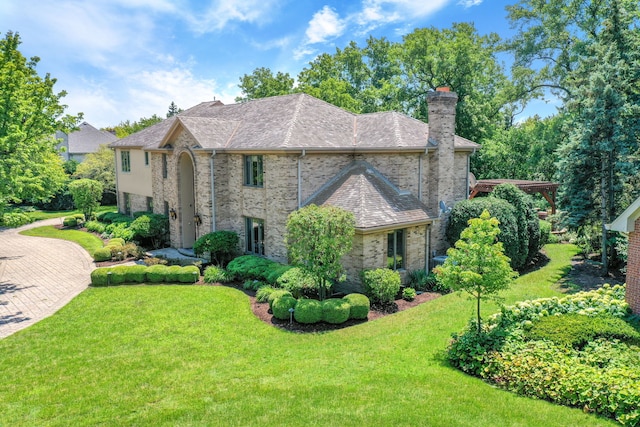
30 114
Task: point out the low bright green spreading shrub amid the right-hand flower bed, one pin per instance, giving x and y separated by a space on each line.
575 330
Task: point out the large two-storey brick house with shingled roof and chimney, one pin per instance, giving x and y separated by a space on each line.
245 167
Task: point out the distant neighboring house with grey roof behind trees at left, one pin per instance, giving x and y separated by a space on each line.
79 143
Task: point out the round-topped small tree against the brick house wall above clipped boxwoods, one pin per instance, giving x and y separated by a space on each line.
317 238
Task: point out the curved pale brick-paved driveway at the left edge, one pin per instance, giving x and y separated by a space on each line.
38 276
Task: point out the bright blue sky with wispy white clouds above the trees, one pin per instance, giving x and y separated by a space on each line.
126 59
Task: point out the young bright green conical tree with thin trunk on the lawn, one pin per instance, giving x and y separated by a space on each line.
477 264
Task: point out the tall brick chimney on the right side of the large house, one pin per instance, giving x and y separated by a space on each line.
442 124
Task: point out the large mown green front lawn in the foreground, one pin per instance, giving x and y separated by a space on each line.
196 355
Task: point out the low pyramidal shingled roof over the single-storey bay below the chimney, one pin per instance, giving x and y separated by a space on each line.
373 199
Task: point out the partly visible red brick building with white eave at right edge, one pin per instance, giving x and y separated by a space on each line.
629 222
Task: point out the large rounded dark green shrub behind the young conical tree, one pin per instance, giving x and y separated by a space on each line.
465 210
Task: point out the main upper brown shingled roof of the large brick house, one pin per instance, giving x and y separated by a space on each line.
288 123
